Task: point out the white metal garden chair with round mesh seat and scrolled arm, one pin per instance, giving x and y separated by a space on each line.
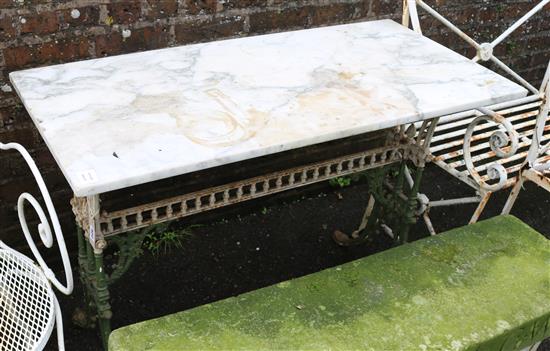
28 306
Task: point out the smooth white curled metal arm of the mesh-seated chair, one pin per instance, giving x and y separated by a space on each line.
44 228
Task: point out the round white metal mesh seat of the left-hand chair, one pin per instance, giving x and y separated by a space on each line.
26 303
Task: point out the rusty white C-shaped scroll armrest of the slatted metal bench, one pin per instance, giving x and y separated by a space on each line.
503 143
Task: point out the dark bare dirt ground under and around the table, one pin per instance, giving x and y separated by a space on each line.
276 239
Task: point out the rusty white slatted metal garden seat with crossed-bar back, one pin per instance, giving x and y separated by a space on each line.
482 148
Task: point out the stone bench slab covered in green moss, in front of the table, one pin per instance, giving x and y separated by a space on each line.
480 287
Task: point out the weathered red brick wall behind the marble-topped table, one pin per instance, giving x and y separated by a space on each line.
42 32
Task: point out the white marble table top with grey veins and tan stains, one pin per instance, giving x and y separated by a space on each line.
126 120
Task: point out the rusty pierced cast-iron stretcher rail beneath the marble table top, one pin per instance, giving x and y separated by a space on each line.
188 204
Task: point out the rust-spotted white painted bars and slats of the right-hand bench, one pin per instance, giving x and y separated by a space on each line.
503 142
